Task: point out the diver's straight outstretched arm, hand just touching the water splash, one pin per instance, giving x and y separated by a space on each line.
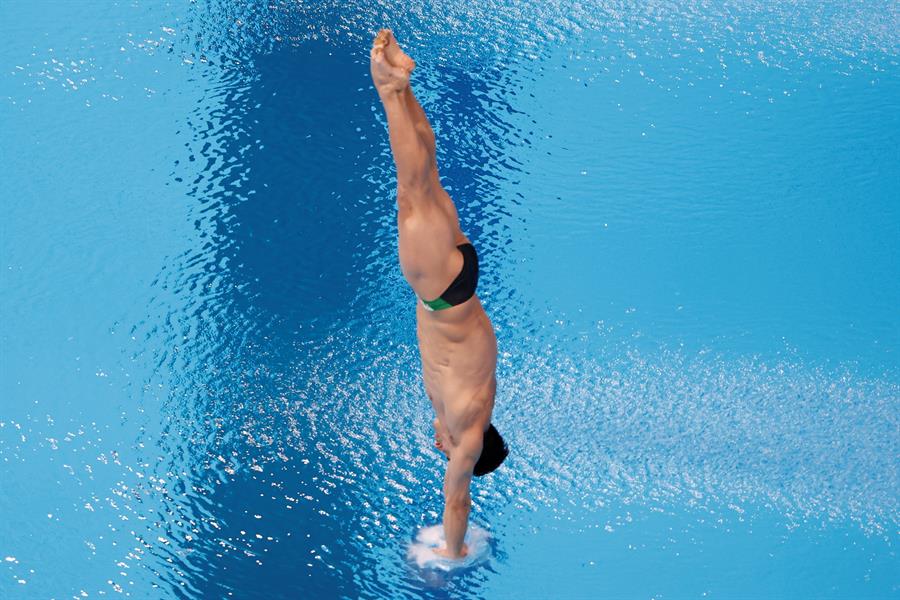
457 499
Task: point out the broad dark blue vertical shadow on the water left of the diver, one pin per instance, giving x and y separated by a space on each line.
289 231
